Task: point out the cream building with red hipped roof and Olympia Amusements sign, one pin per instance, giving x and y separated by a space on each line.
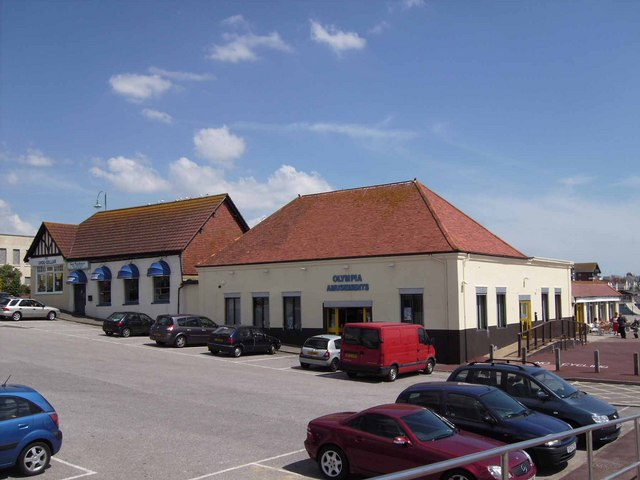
396 252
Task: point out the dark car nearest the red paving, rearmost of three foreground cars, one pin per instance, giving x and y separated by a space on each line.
544 391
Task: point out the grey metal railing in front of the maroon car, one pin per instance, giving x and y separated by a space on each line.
503 452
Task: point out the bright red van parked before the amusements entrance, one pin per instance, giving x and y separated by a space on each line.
386 349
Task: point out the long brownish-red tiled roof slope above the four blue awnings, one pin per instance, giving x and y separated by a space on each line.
162 228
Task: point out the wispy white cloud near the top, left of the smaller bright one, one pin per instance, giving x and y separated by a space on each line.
240 48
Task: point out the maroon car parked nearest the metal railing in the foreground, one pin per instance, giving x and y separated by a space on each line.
391 438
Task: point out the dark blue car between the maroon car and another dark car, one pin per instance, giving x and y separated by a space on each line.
490 412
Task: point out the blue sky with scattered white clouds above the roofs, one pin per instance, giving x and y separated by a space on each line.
525 115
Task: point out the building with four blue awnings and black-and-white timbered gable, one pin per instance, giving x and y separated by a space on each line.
137 258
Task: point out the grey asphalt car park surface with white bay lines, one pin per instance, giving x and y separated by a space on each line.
132 409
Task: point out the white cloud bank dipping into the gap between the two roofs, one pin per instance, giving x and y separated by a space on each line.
247 193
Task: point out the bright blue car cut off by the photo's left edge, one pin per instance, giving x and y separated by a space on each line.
29 430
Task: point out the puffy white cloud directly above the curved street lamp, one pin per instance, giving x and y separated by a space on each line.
131 175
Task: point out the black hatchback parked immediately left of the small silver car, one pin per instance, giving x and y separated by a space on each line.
239 339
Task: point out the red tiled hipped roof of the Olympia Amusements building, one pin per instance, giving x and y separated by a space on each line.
395 219
